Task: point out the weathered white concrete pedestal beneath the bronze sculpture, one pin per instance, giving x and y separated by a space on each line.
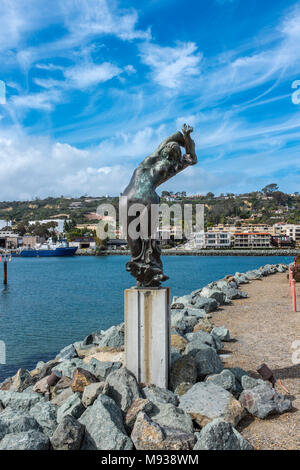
147 334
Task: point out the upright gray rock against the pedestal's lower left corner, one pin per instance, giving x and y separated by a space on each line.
122 387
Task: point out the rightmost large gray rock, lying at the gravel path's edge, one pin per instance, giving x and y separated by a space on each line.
263 400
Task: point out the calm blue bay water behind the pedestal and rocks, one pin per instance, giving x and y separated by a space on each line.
52 302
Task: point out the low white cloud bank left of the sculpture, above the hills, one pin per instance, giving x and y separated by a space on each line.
31 167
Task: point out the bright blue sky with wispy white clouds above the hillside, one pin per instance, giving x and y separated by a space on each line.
93 86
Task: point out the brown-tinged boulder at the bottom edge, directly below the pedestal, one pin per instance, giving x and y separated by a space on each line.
149 435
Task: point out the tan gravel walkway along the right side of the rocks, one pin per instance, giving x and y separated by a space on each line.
264 328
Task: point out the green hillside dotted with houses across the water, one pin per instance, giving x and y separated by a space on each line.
266 206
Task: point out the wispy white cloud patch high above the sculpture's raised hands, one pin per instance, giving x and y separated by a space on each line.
172 66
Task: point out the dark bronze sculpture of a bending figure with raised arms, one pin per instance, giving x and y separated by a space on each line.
164 163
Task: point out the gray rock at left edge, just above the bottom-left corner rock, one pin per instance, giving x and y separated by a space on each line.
13 421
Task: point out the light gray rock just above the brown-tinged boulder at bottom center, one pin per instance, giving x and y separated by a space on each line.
166 414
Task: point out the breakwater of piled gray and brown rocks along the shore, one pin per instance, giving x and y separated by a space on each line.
94 402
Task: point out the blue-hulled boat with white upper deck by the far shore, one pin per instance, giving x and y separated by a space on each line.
49 248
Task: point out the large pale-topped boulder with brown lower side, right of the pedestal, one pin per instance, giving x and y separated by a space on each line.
206 401
